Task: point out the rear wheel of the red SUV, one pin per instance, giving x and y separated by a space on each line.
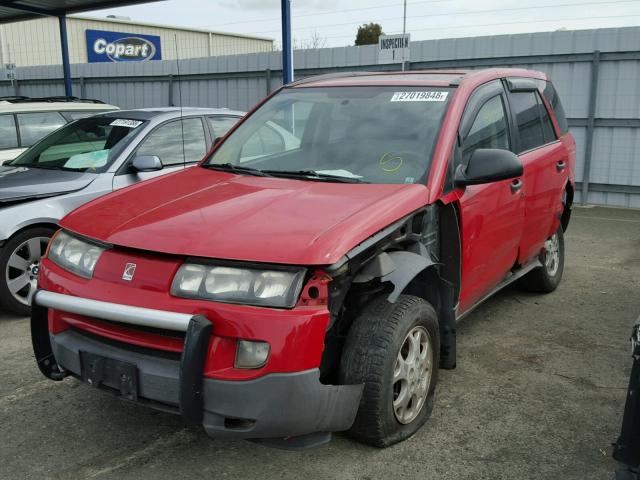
546 279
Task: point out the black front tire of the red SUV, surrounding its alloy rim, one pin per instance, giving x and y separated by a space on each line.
369 357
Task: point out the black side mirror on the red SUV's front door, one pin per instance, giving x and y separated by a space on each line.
488 165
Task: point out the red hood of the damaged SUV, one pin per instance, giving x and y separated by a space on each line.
207 213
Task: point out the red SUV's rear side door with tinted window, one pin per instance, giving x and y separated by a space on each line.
545 166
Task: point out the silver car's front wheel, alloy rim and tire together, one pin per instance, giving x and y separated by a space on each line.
19 266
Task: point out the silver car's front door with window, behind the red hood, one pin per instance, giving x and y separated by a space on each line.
166 142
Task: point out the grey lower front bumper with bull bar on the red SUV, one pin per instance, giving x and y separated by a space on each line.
274 405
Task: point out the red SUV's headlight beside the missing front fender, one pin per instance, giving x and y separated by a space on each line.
272 288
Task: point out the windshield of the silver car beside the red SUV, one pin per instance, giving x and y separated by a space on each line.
89 144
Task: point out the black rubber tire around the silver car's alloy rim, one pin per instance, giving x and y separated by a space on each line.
7 299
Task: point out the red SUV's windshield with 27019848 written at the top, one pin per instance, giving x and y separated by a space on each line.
360 134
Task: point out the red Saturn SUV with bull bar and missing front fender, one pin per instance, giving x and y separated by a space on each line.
308 276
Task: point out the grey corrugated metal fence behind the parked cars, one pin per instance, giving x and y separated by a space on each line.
597 73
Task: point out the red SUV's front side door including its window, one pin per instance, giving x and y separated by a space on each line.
492 214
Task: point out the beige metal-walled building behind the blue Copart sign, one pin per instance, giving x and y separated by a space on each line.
37 42
